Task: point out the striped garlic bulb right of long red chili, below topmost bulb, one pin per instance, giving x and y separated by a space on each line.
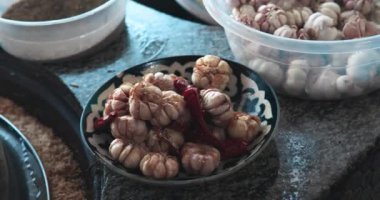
218 105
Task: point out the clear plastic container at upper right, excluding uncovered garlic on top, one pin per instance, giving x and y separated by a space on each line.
320 70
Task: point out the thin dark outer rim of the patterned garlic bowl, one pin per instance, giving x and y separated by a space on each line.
193 181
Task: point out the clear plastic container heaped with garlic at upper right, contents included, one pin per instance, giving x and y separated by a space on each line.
320 50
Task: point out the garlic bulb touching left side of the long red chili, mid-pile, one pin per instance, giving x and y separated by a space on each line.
173 105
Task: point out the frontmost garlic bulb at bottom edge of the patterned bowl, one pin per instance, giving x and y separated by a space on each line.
159 166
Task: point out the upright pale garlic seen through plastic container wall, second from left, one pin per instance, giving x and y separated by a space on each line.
296 77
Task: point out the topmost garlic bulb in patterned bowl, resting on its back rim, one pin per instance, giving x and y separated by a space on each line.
211 72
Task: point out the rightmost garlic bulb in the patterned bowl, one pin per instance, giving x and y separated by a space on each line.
244 126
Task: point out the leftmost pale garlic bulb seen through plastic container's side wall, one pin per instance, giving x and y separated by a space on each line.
270 71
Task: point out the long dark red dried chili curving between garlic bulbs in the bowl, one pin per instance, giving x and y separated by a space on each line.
230 147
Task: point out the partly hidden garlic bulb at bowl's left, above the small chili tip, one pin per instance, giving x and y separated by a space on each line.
118 101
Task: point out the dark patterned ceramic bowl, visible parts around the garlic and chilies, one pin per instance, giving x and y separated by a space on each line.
249 93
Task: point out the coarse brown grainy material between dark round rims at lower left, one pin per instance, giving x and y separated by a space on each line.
63 172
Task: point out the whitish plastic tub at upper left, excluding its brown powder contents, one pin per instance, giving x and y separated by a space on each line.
59 39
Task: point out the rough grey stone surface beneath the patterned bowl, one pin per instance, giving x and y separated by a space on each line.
316 144
